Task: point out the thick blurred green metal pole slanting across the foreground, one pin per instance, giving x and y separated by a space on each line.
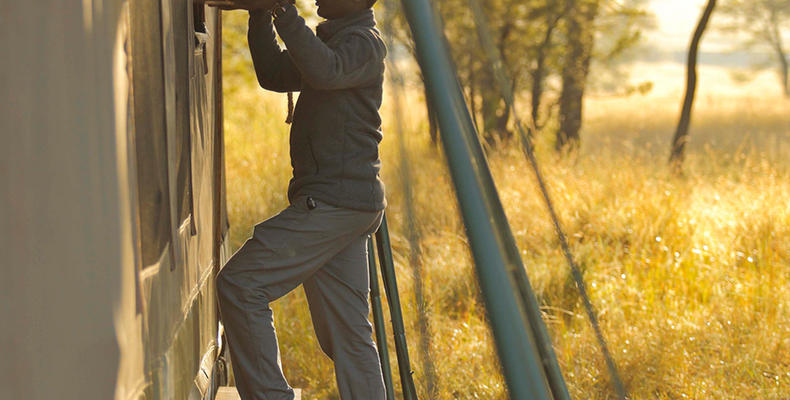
510 301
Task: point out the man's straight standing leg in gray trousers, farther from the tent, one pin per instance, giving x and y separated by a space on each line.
338 298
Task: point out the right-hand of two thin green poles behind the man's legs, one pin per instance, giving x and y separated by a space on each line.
391 290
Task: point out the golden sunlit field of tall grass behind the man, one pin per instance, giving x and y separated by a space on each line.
690 276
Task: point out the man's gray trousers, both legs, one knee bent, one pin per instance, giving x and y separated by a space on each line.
324 248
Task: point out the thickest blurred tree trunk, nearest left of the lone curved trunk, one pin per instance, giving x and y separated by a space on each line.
574 72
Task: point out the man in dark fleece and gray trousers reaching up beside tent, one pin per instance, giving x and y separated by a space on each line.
336 195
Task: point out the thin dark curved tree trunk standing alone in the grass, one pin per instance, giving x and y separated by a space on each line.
677 154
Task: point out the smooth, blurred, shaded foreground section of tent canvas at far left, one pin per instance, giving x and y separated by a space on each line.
59 189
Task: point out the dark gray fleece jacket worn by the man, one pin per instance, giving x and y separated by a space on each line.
336 125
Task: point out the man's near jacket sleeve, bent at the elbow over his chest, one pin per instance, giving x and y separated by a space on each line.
357 61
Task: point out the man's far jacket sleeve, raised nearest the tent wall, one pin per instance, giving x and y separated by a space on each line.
273 66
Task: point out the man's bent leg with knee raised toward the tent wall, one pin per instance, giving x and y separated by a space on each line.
283 251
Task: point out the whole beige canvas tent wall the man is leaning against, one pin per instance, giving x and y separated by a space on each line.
82 317
